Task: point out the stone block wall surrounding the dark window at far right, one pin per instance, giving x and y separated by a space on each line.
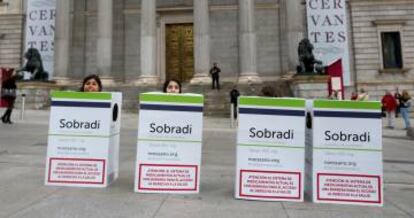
369 17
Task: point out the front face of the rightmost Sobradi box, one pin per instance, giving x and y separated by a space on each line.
347 152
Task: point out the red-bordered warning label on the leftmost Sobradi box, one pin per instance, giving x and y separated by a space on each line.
76 171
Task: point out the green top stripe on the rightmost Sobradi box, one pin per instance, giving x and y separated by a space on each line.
362 105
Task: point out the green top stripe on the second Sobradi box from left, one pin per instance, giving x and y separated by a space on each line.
172 98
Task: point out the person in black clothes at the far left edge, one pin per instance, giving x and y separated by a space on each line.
8 94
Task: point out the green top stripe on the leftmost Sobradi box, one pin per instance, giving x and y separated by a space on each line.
82 95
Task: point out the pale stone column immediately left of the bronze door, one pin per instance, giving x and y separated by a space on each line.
148 44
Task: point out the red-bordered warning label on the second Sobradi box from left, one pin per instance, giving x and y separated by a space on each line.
164 177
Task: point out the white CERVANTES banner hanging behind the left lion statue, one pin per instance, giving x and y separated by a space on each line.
40 30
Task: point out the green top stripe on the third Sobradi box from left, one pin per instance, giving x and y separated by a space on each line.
272 102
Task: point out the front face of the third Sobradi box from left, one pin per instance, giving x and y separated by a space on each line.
270 149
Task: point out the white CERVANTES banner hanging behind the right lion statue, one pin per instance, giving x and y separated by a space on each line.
327 31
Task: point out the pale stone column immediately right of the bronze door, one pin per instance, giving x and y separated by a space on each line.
201 43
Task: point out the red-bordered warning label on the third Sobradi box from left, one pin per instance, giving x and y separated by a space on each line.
270 184
